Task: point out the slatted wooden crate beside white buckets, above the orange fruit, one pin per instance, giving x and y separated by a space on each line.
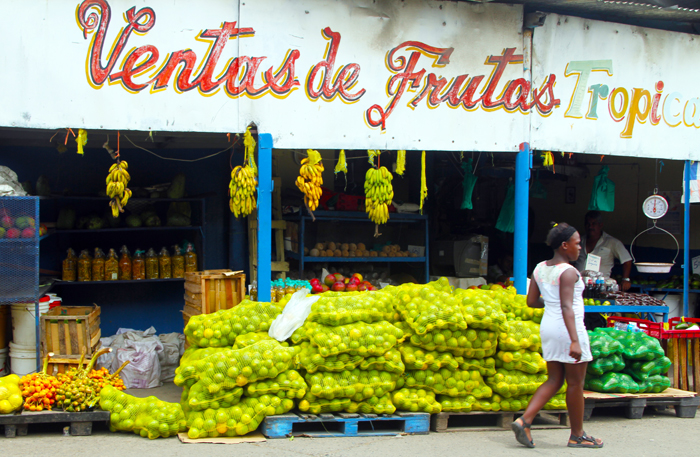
69 331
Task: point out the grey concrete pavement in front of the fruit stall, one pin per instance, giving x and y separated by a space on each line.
658 433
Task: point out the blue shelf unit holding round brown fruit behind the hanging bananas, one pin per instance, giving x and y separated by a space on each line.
356 217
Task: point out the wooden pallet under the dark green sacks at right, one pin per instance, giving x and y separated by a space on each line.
685 403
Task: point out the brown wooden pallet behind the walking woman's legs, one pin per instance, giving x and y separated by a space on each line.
480 421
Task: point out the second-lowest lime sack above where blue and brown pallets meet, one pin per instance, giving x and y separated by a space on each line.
453 383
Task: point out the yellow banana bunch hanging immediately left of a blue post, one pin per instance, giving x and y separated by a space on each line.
244 181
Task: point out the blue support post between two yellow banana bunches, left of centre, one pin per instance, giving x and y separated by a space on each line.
265 184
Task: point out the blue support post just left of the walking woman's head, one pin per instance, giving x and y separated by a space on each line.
523 163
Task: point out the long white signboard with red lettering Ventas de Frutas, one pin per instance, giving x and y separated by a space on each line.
411 74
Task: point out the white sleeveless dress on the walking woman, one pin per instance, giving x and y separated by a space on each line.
555 337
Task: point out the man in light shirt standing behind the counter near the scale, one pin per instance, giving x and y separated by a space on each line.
604 246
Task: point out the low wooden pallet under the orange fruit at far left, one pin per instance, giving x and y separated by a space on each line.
80 423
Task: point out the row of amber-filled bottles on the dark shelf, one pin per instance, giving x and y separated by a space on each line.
143 265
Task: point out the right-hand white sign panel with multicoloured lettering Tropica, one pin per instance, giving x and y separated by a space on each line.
622 90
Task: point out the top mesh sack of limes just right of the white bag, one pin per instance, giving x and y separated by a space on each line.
342 308
